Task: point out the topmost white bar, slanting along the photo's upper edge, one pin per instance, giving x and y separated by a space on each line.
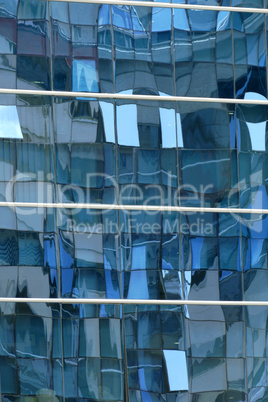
169 5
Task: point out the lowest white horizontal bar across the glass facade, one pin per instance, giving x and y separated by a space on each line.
133 301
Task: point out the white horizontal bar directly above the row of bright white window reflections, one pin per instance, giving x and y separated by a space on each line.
97 95
